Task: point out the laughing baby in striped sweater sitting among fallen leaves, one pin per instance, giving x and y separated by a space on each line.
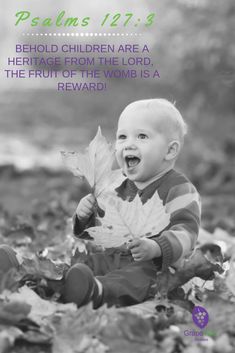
149 138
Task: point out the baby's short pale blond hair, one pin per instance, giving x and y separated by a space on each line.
173 123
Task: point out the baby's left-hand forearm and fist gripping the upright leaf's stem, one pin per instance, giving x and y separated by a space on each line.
84 214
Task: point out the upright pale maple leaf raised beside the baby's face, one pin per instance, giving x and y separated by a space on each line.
95 164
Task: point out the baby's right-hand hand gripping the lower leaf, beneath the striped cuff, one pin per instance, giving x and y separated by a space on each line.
144 249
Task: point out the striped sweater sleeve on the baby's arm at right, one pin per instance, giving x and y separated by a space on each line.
179 238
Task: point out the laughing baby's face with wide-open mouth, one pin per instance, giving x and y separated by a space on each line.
141 144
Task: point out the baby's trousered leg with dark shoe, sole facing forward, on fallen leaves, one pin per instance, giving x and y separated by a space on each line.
131 284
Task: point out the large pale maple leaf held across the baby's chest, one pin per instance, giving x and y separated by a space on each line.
125 220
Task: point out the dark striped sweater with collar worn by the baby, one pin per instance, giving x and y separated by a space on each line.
181 200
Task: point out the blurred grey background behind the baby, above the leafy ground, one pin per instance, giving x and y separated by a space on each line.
192 44
